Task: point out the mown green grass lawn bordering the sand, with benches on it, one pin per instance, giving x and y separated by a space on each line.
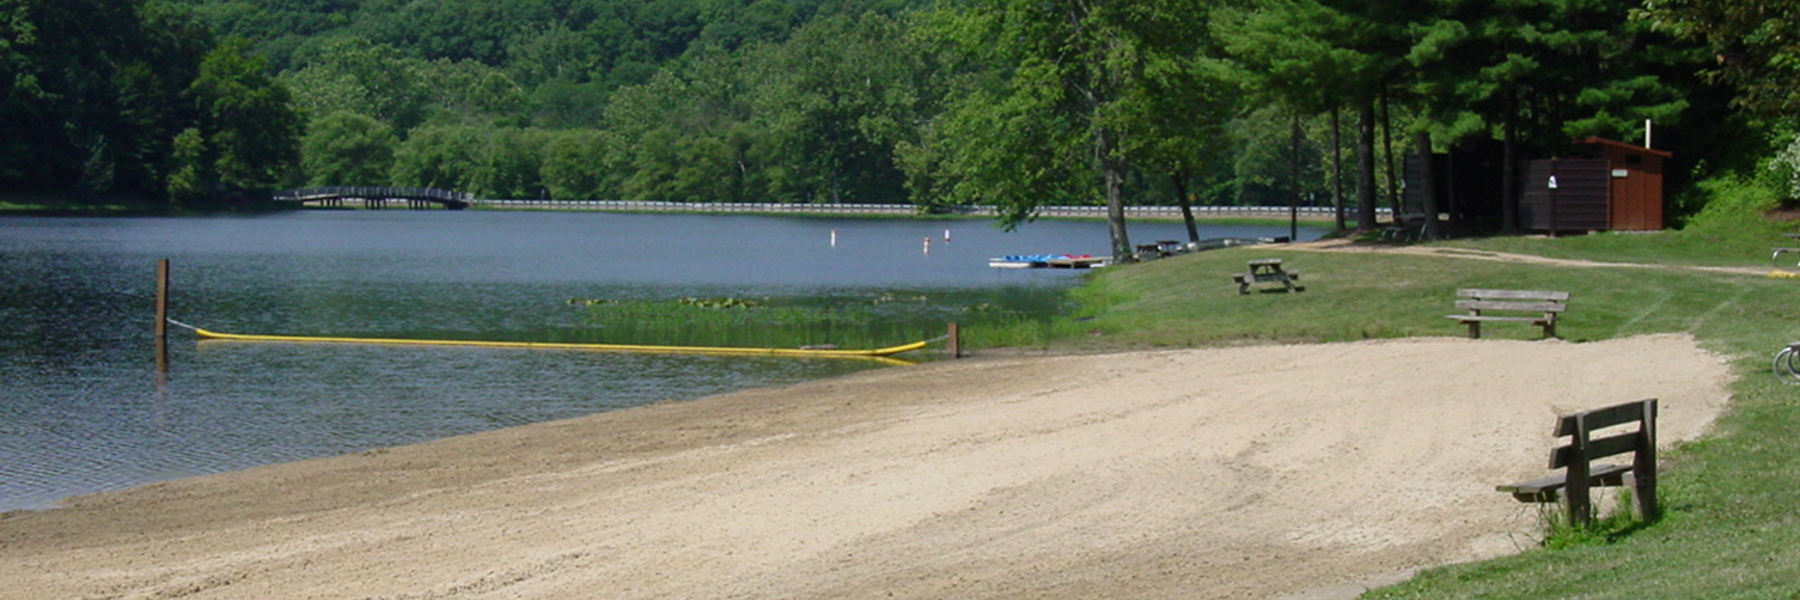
1732 500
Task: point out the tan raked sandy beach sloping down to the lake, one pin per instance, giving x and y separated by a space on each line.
1237 473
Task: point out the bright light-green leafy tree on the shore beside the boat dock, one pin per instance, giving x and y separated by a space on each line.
1050 100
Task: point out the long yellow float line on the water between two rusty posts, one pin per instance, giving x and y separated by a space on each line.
640 349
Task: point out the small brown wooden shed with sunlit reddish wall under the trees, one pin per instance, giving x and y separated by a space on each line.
1614 186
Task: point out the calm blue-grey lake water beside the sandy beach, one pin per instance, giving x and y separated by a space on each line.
85 412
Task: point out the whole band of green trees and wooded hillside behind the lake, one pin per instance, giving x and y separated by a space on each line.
1000 104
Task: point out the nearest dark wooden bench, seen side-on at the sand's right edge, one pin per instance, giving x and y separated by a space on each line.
1579 475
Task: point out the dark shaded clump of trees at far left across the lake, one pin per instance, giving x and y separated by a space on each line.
107 98
